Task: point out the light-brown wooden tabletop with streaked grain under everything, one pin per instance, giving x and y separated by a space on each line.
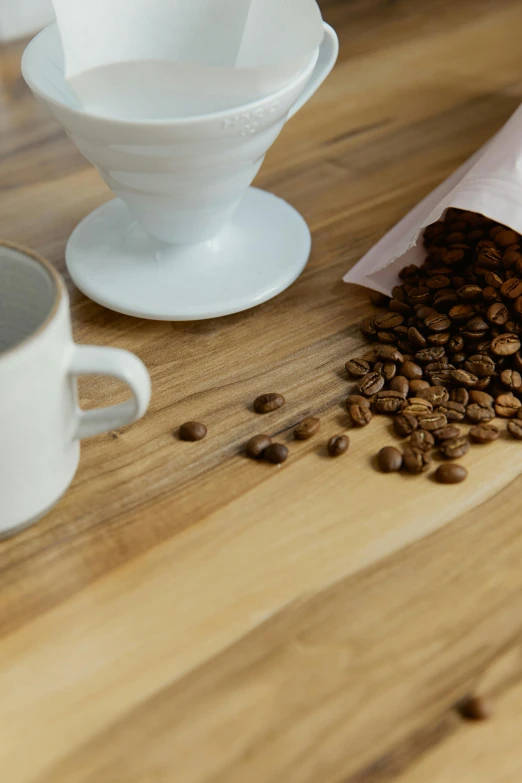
188 615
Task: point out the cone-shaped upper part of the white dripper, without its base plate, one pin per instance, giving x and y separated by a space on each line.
182 179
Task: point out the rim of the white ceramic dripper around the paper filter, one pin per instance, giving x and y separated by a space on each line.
176 122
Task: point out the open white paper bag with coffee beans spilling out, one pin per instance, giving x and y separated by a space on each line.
490 183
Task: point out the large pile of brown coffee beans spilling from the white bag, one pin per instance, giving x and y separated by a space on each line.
447 347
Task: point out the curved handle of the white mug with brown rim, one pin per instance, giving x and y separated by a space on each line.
115 363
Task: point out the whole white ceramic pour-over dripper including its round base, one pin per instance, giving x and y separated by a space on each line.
187 238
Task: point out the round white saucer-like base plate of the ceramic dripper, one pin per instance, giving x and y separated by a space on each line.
259 254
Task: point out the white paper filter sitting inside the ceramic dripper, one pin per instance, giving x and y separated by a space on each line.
160 59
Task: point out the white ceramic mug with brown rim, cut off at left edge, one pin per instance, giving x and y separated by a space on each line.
41 424
